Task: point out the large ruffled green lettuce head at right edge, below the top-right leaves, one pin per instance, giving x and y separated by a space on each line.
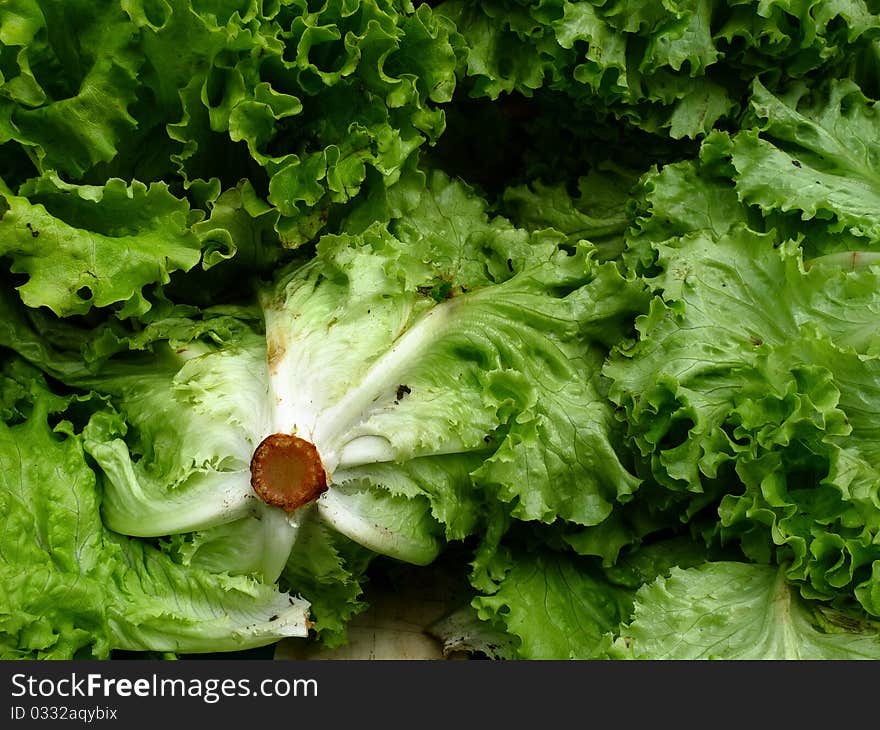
749 391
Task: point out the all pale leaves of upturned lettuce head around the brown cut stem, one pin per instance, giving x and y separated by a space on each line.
438 363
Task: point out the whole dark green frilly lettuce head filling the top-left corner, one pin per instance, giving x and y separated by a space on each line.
310 103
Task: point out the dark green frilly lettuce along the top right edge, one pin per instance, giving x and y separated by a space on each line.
676 69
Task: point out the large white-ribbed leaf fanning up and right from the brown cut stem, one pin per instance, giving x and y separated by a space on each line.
452 333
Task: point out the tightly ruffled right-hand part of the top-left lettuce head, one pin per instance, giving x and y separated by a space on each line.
338 96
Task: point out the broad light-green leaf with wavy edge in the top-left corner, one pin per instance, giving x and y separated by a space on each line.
69 80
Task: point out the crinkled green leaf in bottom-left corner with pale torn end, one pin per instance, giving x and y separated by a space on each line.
72 588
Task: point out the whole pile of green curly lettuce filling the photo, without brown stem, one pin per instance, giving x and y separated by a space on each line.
581 297
